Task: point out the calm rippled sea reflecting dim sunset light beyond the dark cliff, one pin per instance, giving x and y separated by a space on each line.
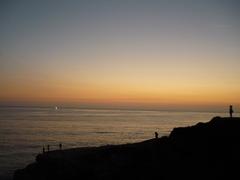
24 130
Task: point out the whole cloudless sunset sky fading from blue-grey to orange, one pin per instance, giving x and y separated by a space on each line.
166 53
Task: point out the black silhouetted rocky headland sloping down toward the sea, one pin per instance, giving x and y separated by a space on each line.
204 151
